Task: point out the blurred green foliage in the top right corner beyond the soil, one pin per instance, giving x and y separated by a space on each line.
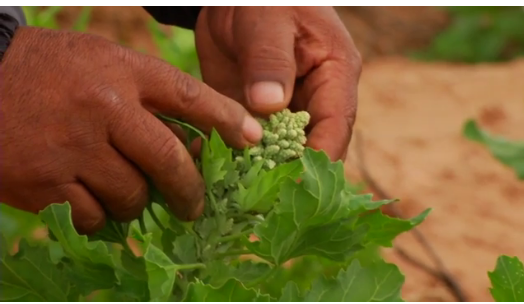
479 34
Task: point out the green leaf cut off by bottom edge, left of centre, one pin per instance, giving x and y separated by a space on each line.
231 291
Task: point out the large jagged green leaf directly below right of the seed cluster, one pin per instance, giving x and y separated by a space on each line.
318 216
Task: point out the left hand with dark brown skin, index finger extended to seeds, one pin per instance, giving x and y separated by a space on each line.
77 126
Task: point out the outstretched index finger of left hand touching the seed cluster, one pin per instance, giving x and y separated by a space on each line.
164 89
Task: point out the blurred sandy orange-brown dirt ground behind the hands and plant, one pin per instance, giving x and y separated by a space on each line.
410 117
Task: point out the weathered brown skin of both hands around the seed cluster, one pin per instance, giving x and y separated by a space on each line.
77 111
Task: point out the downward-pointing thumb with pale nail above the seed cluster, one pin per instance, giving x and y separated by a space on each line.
267 58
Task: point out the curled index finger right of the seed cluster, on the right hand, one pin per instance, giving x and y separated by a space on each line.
332 106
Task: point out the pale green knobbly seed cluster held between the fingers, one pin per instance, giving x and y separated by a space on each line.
284 138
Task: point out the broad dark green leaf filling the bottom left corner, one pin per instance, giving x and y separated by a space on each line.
30 276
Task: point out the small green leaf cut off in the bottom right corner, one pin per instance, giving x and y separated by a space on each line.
507 280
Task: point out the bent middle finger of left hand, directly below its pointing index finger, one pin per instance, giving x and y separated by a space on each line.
160 155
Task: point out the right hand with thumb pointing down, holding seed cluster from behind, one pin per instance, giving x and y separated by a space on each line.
269 58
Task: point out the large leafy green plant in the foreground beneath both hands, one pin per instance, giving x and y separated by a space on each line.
318 218
